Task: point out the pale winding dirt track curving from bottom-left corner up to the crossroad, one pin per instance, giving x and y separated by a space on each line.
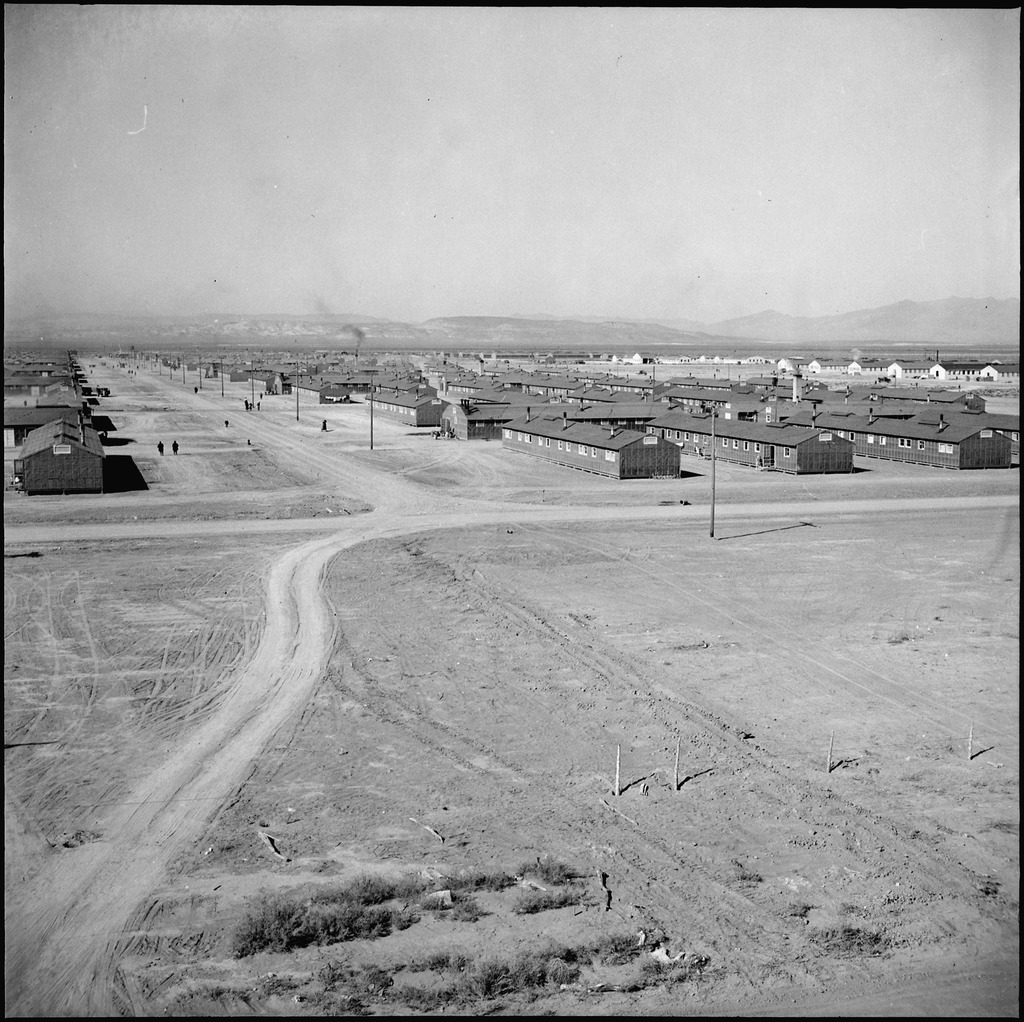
57 965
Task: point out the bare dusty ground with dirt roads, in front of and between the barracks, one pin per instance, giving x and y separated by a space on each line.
287 666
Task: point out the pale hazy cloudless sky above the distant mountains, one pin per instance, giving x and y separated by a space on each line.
415 163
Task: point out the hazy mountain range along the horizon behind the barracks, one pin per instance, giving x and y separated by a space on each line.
952 323
